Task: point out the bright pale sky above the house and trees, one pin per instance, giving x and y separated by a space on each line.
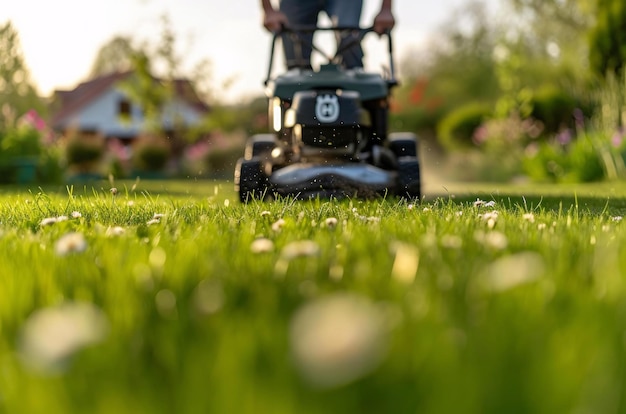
60 38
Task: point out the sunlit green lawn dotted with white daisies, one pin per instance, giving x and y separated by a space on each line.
164 300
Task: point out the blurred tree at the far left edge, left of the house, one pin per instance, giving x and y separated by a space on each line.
18 94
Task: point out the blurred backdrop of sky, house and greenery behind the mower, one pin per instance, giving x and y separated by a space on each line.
509 90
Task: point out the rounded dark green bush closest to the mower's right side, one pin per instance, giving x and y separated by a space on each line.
456 130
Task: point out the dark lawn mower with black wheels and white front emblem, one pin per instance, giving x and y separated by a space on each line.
329 132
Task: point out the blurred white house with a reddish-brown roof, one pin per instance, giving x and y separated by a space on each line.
100 106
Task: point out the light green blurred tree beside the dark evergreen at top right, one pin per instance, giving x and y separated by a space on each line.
543 46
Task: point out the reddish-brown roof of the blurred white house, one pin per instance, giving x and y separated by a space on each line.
69 102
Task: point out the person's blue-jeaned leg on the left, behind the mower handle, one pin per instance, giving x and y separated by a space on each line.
298 47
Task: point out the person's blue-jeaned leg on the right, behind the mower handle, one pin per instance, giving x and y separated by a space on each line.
347 13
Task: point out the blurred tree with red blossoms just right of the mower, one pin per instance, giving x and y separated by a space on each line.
456 69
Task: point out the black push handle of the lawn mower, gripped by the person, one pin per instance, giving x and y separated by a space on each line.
362 31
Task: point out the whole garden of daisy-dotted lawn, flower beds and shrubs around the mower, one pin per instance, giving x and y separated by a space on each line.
132 280
